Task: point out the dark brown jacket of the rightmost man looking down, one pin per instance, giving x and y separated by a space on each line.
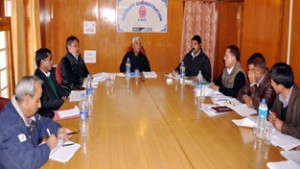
291 125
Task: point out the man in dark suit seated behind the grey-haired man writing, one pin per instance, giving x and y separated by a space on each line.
53 95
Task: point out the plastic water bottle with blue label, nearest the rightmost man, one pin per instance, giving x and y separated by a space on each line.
261 119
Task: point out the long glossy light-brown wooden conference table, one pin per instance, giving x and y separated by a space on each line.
155 125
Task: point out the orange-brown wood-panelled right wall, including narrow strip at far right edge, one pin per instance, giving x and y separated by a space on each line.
265 30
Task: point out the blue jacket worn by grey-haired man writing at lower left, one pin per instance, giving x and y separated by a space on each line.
17 149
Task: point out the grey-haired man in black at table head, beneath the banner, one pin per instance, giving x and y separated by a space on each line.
137 59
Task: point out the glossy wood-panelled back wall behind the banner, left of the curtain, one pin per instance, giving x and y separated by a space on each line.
61 19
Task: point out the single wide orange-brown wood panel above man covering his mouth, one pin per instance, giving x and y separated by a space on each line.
261 31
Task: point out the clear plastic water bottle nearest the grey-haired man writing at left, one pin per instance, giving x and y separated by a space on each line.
84 113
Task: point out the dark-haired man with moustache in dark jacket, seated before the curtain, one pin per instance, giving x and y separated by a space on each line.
196 60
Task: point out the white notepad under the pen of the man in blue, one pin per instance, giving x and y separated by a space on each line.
64 153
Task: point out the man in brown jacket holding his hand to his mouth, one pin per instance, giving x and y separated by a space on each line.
259 85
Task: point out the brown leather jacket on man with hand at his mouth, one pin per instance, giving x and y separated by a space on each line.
264 90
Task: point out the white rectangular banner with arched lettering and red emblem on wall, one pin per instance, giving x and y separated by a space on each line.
142 15
